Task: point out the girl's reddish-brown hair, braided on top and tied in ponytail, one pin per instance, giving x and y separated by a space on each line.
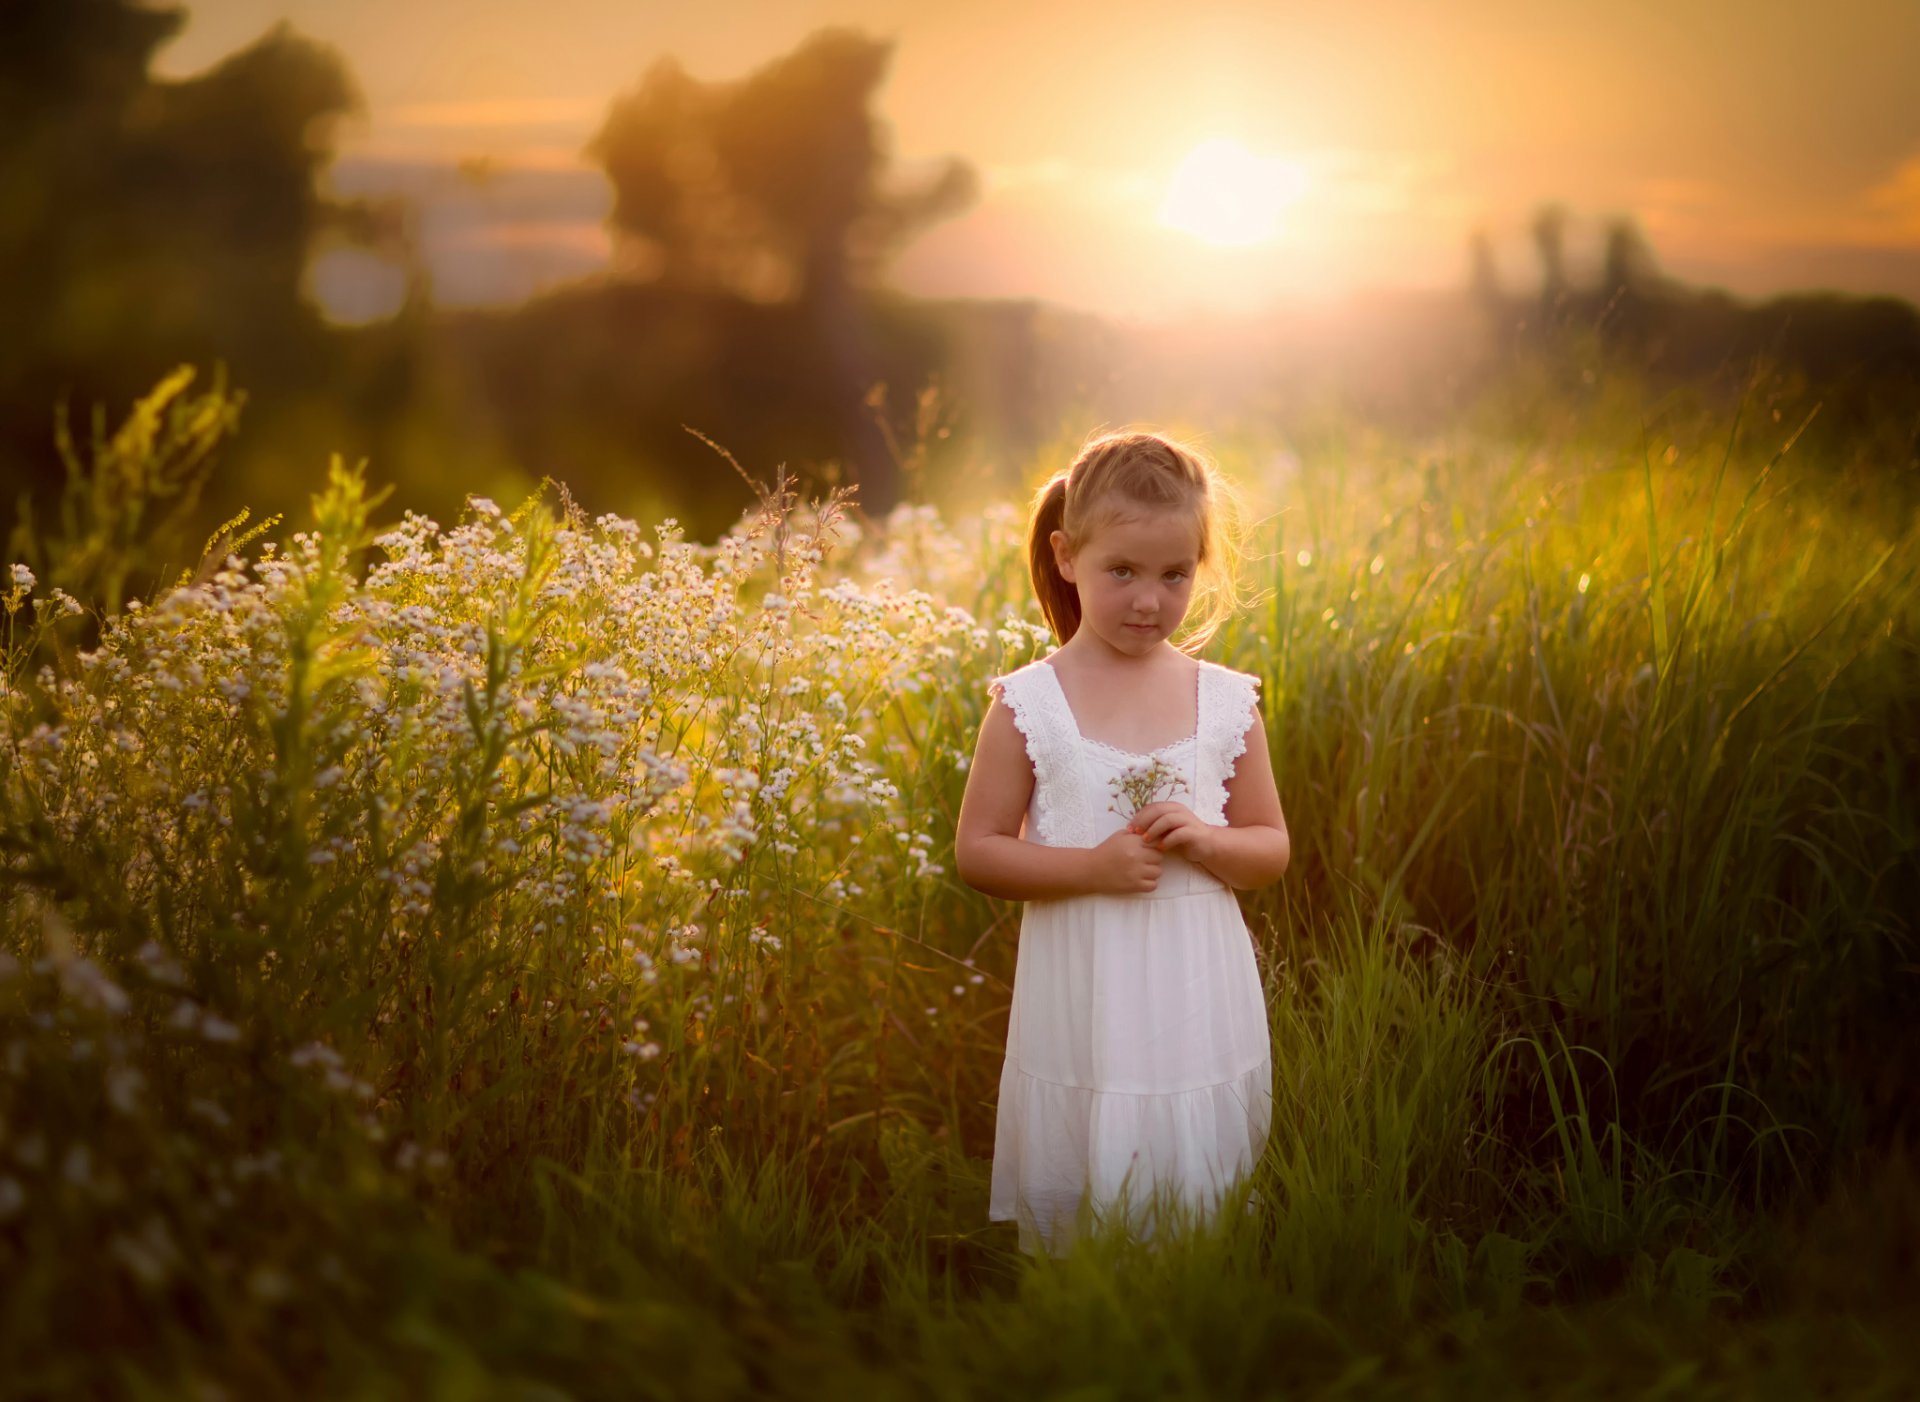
1128 473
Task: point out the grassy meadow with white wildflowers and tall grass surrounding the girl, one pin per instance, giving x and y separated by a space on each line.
521 957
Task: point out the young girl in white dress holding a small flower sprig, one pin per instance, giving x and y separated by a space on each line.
1138 1059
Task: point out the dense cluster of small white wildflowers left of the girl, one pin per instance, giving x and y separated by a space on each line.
569 721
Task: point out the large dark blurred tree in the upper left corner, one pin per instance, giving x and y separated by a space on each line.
145 222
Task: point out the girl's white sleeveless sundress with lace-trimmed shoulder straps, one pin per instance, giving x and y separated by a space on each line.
1138 1051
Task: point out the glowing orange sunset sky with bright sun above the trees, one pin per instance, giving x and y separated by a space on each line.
1149 158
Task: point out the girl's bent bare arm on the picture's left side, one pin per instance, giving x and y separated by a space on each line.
990 854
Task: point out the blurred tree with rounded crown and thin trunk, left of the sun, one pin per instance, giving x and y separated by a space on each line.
775 187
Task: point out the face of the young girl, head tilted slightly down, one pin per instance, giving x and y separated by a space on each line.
1136 577
